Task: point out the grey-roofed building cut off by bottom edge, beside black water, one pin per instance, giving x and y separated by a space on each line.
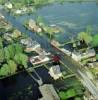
48 92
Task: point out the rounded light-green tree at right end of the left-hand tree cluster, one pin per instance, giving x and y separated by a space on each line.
22 59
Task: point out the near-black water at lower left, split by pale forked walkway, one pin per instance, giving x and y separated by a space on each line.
11 87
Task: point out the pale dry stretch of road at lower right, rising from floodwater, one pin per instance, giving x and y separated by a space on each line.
85 80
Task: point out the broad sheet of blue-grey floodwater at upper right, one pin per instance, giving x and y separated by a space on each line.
73 17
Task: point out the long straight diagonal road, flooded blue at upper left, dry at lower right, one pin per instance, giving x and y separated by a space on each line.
68 61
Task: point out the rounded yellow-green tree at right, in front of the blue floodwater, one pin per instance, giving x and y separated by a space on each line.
83 36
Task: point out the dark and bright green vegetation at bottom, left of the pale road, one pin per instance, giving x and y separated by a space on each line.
71 90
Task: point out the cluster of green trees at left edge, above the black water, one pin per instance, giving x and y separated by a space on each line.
7 54
